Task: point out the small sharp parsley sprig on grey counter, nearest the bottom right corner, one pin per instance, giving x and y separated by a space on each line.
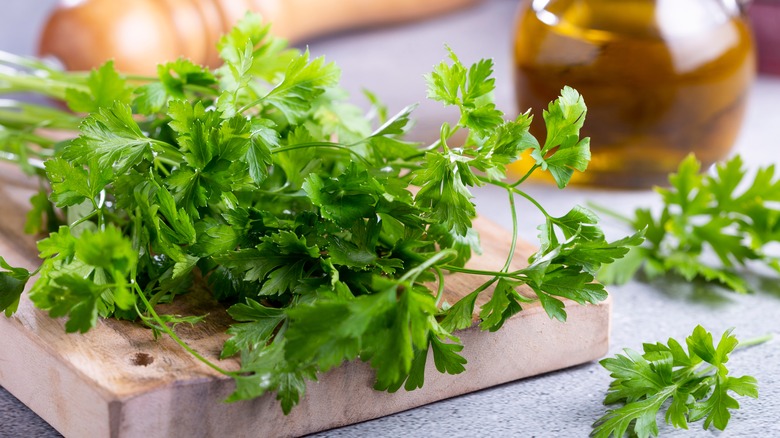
697 382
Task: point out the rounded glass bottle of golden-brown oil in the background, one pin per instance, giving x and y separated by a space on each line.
661 79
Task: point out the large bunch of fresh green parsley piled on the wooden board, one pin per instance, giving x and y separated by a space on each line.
293 207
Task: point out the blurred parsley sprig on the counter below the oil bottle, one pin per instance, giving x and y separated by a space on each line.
722 213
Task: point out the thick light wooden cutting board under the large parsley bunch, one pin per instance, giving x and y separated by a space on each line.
117 381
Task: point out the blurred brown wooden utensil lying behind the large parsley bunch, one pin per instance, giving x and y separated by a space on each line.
139 34
